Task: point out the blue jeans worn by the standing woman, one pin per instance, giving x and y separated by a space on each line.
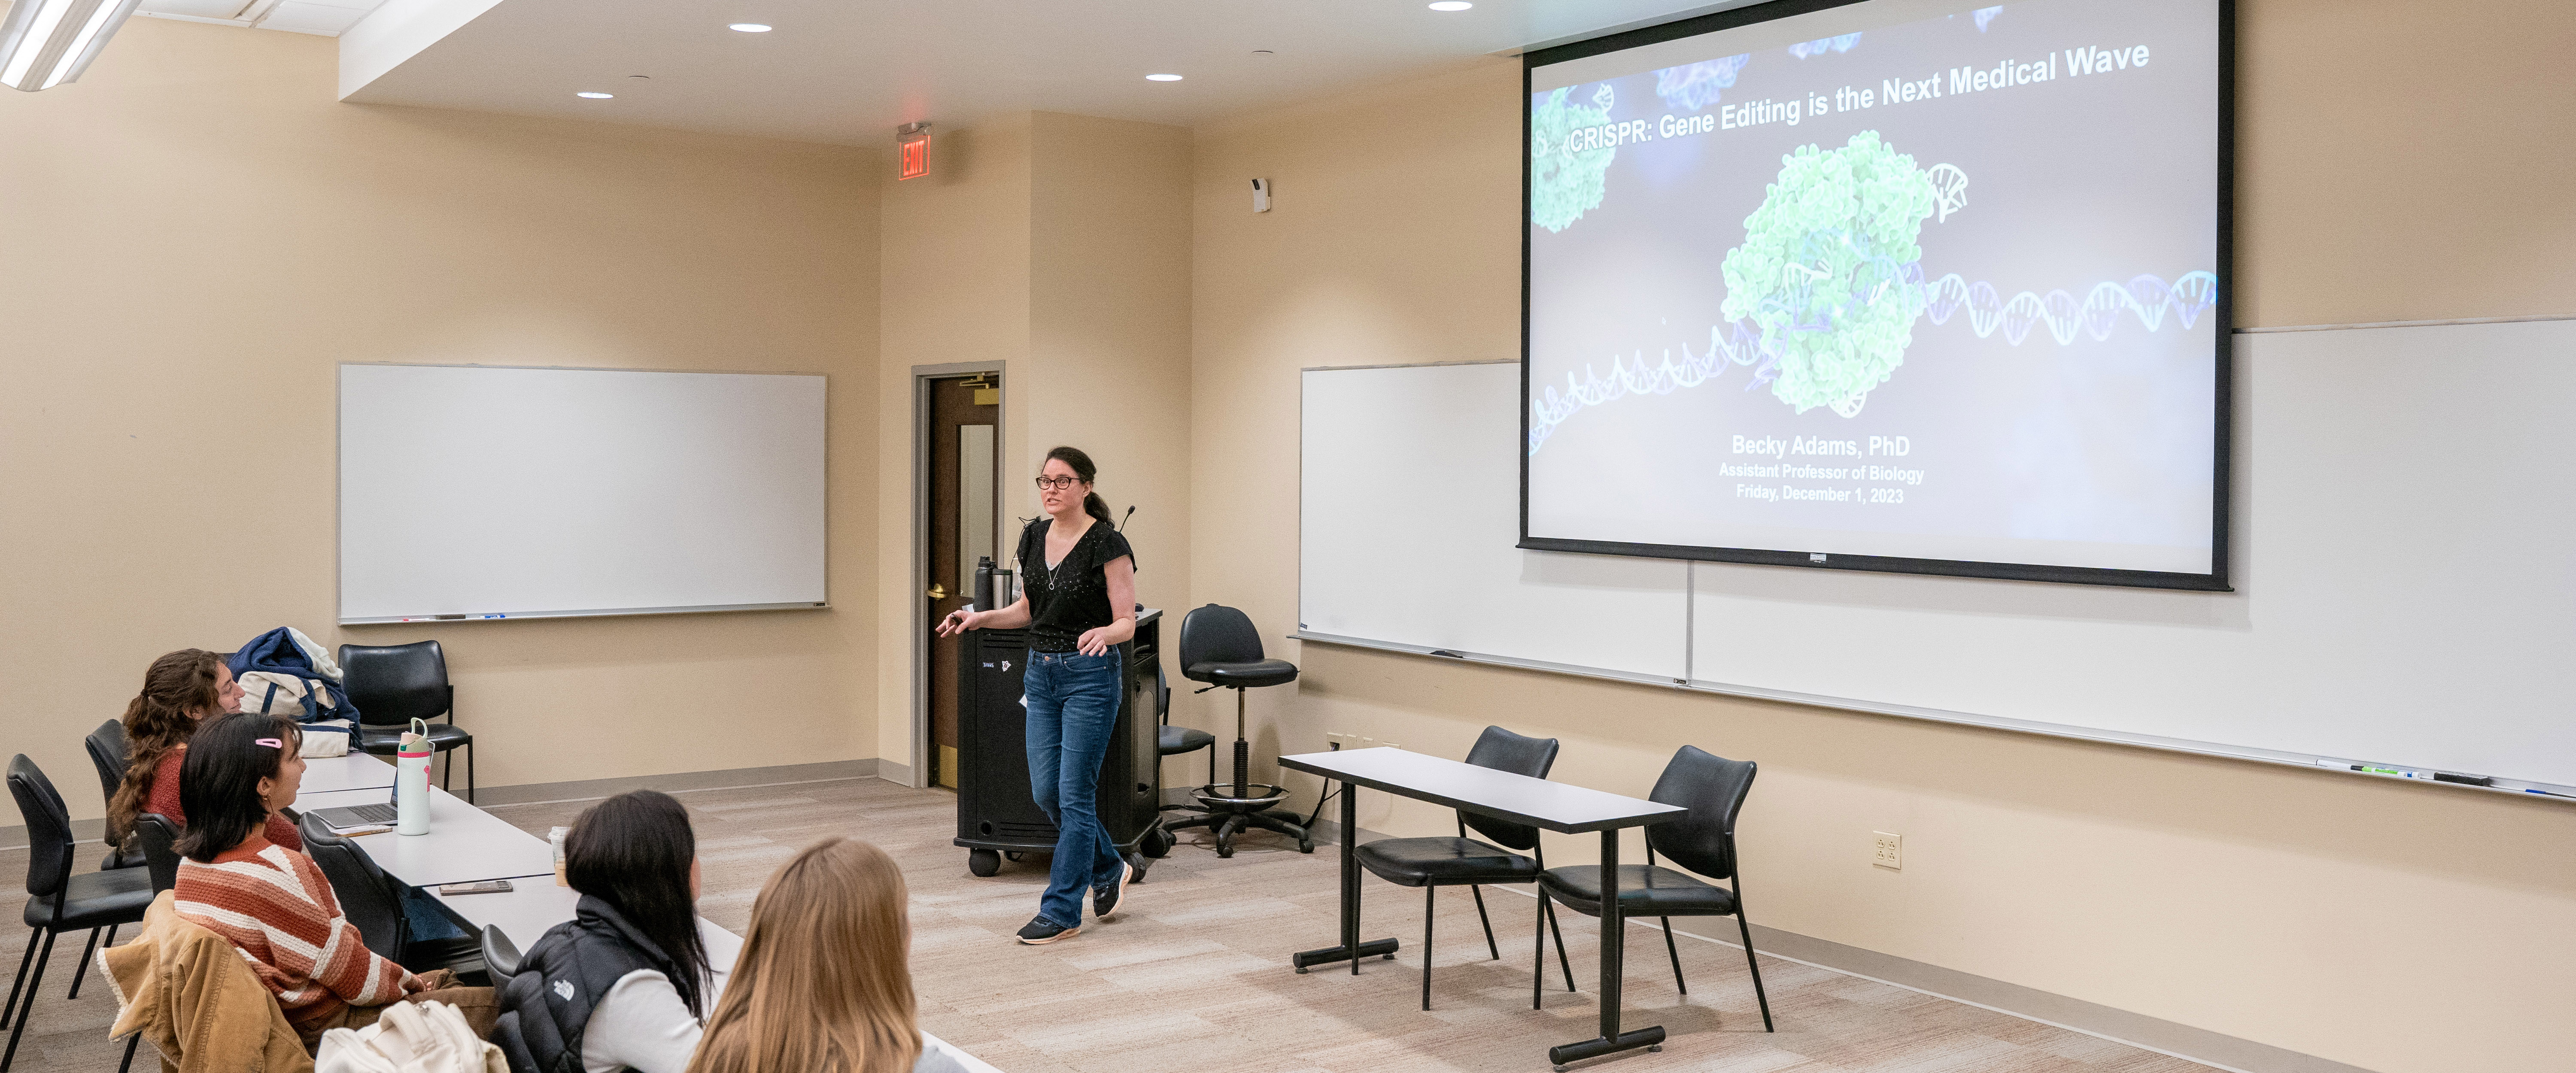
1073 709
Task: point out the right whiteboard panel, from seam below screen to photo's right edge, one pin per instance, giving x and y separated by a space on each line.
2405 580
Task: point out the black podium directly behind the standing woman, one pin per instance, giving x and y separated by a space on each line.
996 807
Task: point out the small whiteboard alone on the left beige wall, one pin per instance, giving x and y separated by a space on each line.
535 493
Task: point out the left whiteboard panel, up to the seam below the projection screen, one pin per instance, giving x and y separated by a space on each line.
1408 531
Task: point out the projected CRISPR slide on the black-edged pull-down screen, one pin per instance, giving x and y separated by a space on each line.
1895 279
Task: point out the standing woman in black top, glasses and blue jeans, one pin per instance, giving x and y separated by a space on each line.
1078 606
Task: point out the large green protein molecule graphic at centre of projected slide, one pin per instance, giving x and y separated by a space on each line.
1823 271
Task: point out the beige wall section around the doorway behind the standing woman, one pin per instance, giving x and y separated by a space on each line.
1057 246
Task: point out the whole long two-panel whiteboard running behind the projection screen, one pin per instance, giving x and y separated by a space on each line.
2405 596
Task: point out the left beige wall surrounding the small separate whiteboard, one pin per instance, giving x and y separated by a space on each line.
197 233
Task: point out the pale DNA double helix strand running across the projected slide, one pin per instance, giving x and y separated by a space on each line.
2098 315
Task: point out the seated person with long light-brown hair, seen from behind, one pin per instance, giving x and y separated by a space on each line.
823 982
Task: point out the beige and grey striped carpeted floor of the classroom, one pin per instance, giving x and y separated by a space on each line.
1194 974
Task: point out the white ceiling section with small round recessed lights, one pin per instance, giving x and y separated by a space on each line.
851 71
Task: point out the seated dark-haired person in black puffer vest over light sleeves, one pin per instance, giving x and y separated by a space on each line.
640 964
